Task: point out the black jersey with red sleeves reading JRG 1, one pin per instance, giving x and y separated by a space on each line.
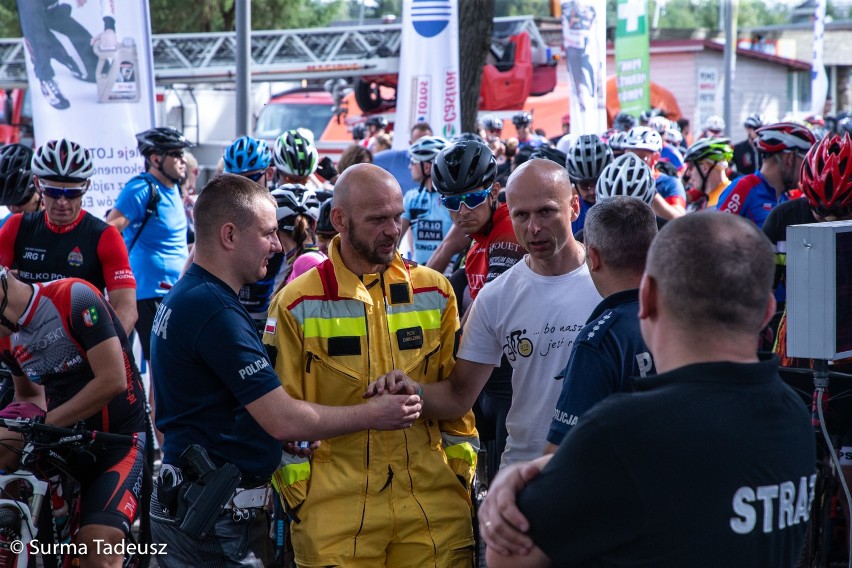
88 248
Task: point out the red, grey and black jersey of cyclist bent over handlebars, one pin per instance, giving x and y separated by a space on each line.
64 320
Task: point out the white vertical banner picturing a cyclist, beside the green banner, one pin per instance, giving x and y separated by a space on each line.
584 38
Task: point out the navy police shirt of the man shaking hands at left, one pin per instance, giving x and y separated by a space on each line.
208 363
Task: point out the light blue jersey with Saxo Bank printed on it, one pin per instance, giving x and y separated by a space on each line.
429 220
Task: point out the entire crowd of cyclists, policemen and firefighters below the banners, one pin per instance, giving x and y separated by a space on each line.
565 312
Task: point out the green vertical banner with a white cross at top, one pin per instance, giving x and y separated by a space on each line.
633 72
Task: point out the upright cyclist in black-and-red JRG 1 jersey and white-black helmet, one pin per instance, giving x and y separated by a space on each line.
66 241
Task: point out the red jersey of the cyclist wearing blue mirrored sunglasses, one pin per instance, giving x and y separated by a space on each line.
492 253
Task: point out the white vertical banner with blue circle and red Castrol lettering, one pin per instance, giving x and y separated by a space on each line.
429 83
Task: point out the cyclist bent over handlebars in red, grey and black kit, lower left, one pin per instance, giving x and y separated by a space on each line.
69 355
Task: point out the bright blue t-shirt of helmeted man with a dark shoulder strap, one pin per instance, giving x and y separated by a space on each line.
160 251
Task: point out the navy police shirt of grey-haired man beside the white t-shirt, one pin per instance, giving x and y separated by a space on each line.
609 350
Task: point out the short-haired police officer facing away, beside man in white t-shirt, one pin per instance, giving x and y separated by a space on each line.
609 350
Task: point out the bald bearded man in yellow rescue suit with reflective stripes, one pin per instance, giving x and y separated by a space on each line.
376 498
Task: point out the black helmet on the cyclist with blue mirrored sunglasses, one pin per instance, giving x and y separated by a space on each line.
465 166
